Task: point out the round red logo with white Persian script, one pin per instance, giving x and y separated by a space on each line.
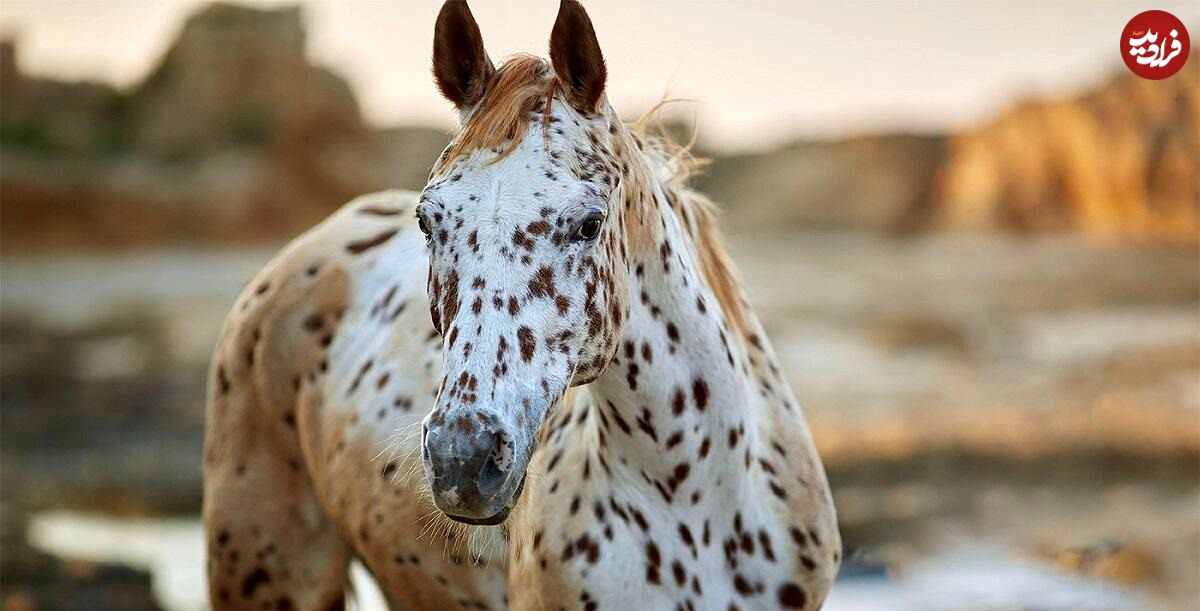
1155 45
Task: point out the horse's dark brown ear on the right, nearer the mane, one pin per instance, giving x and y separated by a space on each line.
575 53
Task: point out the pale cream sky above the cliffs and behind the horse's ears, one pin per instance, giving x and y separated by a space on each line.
759 73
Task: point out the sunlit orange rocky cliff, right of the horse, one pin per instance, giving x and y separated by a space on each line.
1121 161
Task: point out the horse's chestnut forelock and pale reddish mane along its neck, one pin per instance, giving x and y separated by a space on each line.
525 86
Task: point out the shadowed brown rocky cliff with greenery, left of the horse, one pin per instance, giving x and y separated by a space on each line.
235 136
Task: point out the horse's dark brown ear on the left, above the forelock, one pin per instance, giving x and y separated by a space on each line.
461 67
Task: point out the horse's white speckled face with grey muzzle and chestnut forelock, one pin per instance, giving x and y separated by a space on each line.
527 280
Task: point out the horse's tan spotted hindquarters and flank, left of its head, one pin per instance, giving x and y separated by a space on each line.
328 354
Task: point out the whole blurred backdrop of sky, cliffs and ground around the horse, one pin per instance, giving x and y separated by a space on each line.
971 232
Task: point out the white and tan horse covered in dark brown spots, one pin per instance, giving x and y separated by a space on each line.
536 385
